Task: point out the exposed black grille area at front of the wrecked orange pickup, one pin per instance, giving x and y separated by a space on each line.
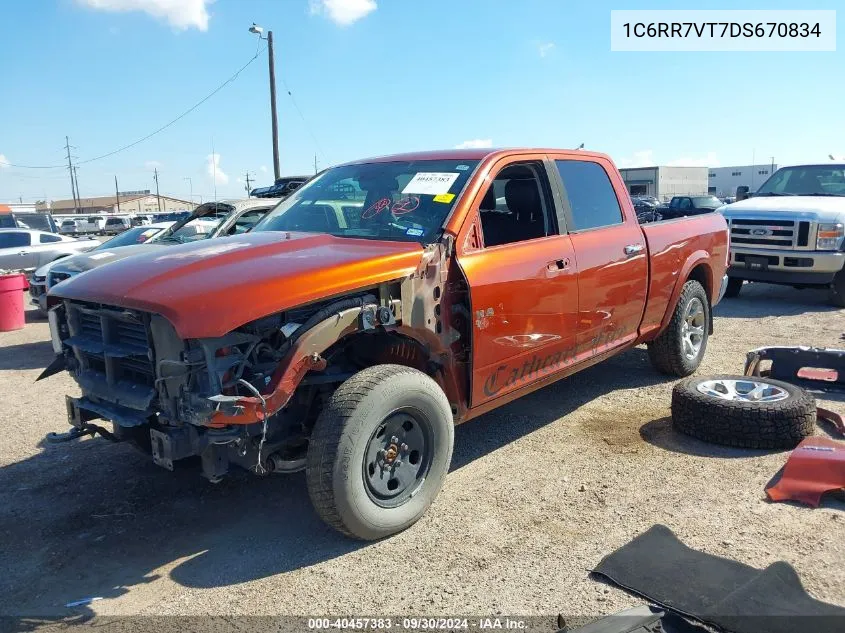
114 353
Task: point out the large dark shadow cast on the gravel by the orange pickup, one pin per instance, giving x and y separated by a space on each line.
93 519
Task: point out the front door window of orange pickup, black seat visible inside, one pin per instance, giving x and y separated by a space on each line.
517 206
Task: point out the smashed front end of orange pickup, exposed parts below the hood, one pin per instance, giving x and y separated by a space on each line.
251 397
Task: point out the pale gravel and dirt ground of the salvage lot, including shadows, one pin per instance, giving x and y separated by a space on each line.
539 492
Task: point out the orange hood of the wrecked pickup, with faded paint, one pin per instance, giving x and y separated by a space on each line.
209 288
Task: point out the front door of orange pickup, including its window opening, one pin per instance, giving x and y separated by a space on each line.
522 279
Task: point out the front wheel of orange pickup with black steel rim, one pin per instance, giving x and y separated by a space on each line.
380 451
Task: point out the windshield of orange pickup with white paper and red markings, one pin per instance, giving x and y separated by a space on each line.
404 201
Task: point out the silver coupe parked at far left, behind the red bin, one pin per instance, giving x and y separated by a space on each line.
25 249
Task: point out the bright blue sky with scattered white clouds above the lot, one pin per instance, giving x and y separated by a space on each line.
381 76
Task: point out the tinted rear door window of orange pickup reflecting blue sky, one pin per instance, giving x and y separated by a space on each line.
590 195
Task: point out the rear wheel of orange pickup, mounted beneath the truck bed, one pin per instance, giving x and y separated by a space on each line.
680 347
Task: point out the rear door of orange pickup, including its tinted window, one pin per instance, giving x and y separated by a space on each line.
611 253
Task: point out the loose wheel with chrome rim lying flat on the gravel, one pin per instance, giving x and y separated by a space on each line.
743 411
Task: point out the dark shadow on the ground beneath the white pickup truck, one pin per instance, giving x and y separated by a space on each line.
759 300
